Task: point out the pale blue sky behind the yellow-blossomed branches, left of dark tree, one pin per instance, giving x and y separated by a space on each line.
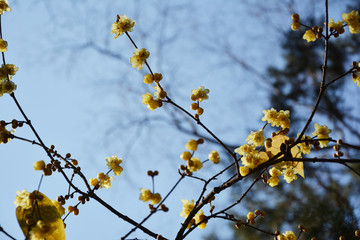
77 87
